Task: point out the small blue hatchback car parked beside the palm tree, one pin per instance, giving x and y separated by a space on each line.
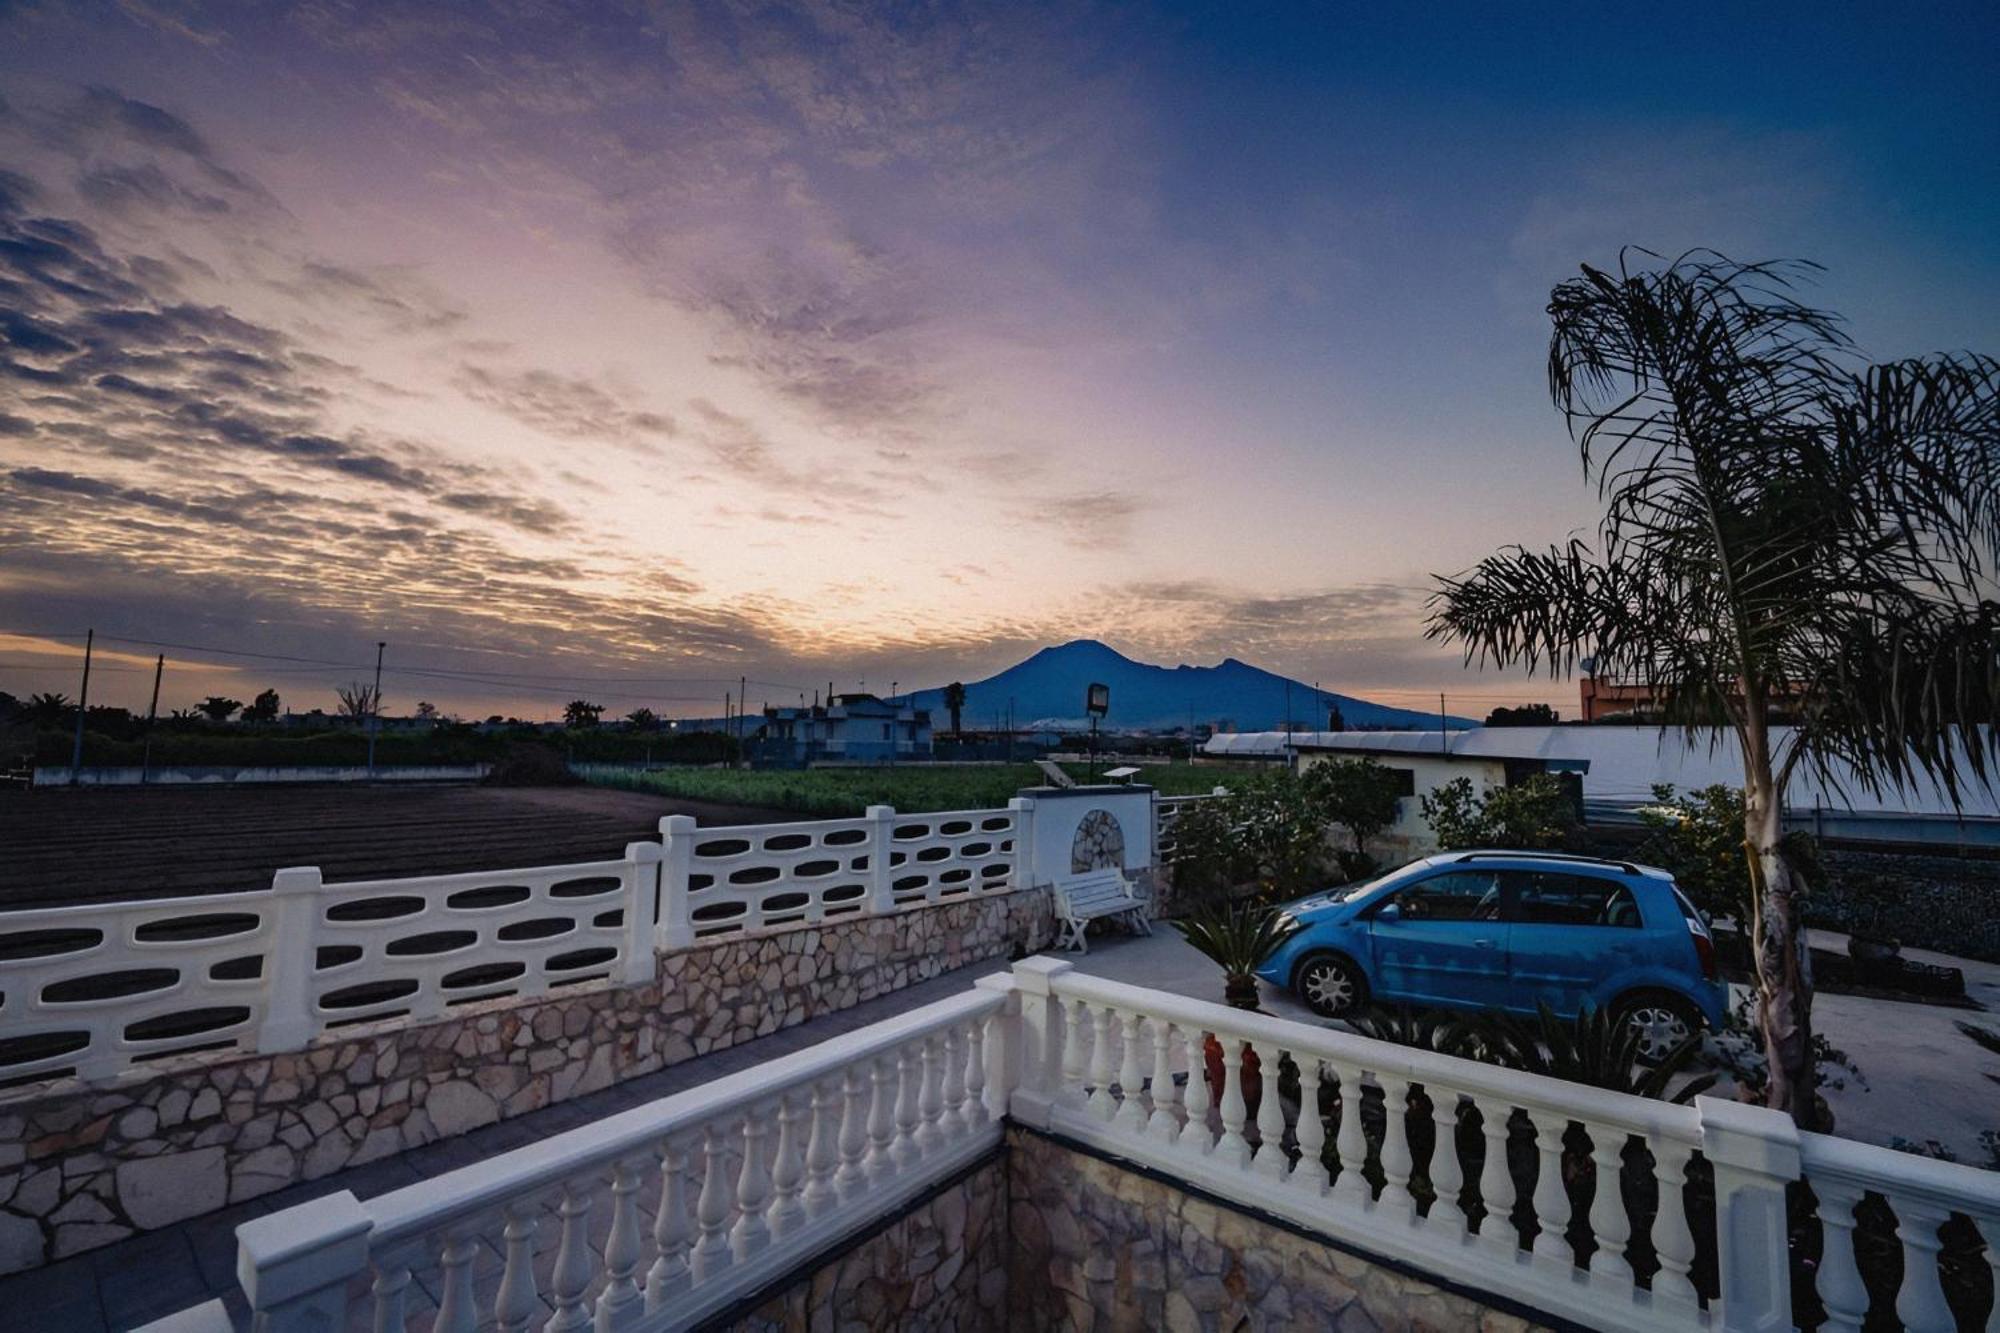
1495 930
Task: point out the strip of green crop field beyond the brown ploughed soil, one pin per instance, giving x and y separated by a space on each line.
915 790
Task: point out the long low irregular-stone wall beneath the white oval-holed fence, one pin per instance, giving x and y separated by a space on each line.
89 1166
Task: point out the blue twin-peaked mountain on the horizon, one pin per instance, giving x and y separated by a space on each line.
1049 690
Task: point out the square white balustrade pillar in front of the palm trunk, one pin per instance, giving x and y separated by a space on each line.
1755 1154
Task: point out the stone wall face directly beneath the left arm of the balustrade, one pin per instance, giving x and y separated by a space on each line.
941 1266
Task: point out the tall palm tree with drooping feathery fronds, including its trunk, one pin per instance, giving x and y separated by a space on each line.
1787 531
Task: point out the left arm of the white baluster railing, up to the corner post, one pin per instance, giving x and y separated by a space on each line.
761 1146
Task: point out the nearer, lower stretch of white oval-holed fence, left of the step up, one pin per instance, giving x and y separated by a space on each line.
105 988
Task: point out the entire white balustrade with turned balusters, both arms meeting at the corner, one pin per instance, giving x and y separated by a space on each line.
717 1192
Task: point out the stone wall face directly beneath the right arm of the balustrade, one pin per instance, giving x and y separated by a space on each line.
1097 1246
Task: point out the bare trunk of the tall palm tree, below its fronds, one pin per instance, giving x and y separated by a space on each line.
1779 944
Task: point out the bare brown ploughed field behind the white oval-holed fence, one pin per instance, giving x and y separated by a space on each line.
93 846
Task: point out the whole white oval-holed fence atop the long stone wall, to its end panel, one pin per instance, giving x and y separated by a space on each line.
103 990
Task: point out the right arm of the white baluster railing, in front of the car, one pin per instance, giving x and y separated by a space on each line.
1429 1166
